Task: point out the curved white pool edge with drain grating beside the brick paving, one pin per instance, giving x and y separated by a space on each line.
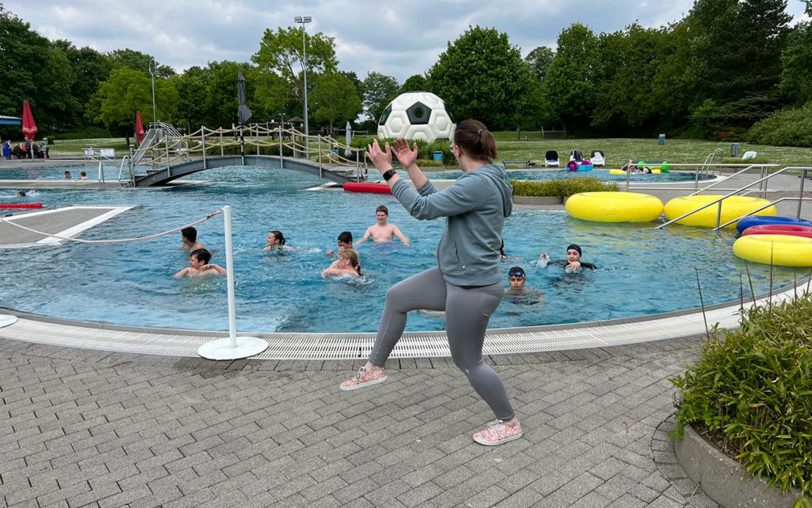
351 346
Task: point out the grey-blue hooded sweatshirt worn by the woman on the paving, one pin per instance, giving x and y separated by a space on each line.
476 206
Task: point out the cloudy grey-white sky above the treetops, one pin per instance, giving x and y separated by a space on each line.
396 38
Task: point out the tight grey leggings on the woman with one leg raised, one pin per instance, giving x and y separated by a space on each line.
467 311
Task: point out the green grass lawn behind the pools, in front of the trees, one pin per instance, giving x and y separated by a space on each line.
617 150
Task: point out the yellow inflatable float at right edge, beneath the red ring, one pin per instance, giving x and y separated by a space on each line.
780 250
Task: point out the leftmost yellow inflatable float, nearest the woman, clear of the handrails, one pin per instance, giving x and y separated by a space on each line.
614 207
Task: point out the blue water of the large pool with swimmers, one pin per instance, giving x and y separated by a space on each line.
642 270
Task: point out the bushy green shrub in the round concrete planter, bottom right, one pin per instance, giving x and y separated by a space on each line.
752 390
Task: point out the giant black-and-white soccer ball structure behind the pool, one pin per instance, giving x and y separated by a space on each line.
416 115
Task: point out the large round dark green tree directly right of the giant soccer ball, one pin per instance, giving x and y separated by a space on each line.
480 75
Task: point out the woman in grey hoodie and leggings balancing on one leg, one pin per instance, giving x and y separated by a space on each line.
467 283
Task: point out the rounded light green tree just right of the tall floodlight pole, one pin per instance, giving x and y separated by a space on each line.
334 99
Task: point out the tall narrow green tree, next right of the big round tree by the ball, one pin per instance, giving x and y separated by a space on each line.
569 85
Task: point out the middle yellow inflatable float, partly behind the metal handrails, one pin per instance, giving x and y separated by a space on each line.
732 208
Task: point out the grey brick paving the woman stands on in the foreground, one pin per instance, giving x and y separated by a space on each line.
87 428
